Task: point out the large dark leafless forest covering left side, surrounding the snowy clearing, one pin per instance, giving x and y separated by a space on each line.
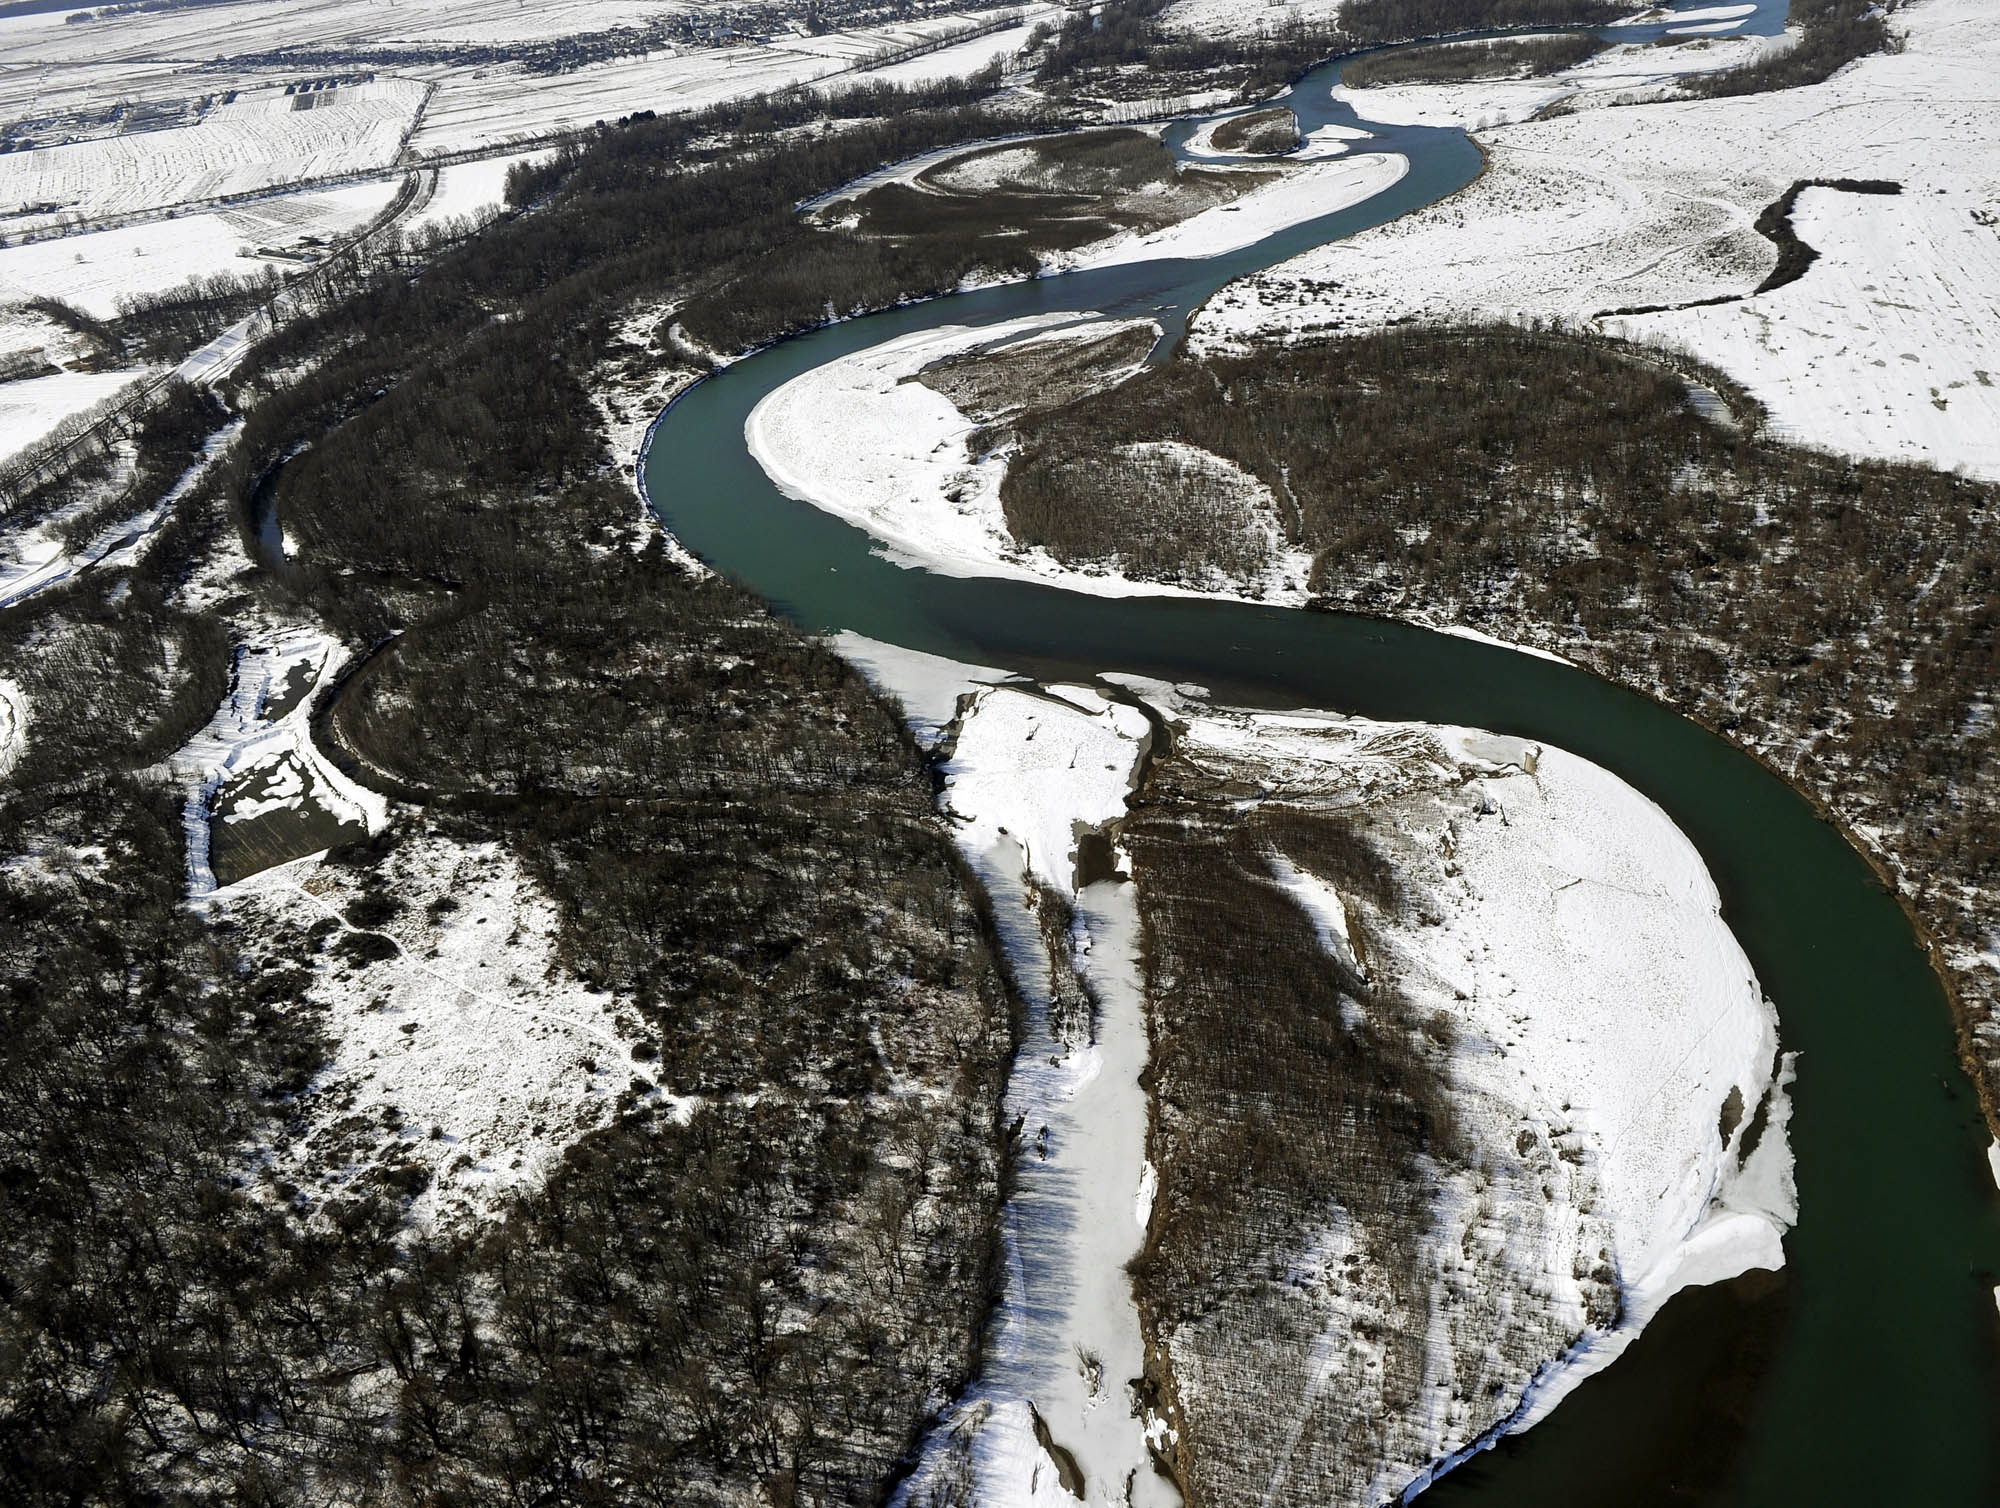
767 1297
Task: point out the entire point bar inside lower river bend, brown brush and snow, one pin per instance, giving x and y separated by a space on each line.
1535 959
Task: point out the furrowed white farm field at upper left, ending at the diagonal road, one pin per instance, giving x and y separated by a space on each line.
259 141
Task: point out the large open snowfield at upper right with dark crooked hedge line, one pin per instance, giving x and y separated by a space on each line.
1655 205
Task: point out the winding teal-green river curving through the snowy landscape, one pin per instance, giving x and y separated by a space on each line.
1869 1371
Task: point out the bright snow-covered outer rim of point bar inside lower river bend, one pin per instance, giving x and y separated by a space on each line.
1611 1051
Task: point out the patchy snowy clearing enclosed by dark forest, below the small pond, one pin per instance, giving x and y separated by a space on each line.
465 1053
